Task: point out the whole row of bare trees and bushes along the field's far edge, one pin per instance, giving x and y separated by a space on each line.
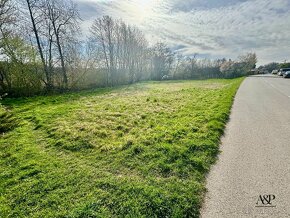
42 51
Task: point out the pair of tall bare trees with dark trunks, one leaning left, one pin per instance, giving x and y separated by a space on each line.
54 24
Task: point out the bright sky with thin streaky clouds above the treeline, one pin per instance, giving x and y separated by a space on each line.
209 28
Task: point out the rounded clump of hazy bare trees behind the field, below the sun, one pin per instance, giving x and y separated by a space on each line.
123 48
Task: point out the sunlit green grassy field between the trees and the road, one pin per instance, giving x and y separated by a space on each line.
135 151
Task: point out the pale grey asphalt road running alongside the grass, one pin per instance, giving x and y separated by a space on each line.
255 154
